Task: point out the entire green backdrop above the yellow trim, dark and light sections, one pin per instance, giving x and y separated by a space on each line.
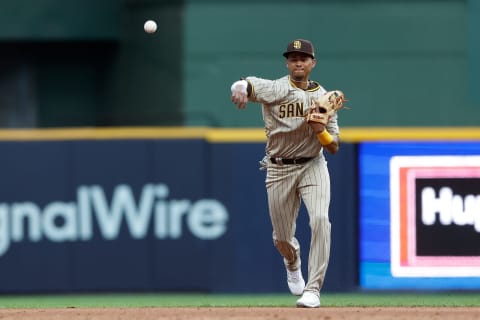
89 63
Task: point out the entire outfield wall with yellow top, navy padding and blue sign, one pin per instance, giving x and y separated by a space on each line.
184 209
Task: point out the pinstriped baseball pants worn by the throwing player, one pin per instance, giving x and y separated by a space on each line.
289 185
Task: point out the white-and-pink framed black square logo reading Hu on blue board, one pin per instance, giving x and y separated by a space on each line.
435 216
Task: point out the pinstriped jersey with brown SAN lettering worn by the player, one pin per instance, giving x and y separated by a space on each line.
284 107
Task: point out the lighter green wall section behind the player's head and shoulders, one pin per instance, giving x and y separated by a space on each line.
399 62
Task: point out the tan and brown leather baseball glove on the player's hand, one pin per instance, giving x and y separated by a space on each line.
324 108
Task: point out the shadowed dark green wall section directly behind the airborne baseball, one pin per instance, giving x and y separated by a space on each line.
145 86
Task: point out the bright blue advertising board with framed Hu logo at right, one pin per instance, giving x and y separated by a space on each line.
422 201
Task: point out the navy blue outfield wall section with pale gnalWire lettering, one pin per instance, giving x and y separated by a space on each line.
170 214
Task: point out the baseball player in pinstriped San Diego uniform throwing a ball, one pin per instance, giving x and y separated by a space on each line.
296 169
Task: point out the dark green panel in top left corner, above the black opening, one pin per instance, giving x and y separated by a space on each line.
59 19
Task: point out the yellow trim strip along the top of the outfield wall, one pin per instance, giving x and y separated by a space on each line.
350 134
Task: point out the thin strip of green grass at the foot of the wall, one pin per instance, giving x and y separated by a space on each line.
236 300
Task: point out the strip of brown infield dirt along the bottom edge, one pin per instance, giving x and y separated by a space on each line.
245 313
